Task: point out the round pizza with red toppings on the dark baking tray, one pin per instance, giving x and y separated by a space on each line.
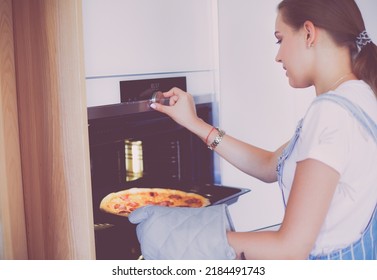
123 202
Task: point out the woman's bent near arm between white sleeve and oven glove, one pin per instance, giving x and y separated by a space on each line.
312 191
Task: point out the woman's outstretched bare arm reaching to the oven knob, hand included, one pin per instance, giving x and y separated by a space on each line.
252 160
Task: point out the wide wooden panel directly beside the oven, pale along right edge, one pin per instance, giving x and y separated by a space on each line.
53 129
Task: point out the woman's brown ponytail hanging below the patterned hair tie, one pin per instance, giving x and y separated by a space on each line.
365 65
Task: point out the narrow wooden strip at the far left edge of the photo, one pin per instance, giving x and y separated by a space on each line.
12 219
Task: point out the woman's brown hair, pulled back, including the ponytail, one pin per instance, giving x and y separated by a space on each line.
342 19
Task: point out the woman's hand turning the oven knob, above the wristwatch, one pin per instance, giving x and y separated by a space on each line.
181 108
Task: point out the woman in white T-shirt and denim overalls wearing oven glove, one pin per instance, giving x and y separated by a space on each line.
327 172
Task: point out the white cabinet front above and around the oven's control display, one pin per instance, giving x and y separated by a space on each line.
127 39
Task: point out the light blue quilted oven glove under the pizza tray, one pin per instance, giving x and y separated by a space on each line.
183 233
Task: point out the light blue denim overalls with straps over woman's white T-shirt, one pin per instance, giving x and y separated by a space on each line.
366 247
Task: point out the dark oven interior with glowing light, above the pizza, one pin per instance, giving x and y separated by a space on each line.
158 158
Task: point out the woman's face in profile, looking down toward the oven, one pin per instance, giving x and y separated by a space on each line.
293 53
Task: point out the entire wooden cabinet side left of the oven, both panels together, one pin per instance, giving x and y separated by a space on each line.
46 214
